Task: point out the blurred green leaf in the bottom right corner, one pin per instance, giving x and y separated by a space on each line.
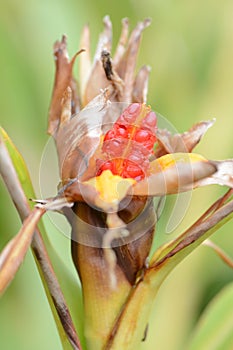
215 328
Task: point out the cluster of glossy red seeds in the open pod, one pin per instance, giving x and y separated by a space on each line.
129 143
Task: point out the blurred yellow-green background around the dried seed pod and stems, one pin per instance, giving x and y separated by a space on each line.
189 47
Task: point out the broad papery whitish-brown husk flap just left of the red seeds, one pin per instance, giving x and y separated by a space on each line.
78 137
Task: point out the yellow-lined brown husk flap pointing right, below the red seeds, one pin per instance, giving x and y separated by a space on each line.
184 176
